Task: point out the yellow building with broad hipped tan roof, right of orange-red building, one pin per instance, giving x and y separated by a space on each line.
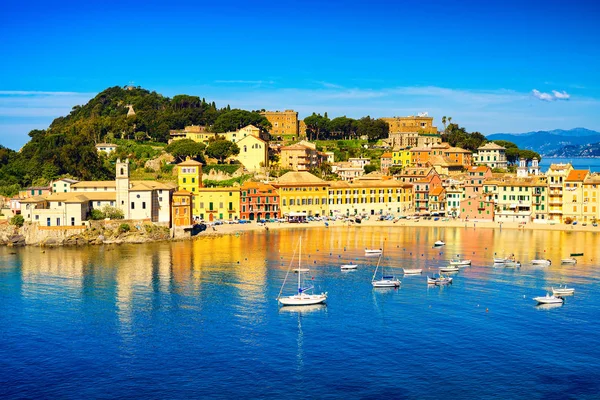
302 194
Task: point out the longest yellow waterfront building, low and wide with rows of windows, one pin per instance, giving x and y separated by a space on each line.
369 197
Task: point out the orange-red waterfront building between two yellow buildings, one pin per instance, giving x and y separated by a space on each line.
259 201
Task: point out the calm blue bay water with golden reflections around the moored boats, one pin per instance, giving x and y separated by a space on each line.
199 319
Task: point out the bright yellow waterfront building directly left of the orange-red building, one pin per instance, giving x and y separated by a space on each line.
219 203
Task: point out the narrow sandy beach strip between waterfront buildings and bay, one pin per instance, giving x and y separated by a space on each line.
228 229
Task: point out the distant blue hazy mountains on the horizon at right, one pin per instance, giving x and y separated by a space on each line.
549 142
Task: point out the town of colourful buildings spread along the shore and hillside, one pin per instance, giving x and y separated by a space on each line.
418 176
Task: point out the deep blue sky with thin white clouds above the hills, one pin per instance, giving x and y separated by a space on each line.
493 66
